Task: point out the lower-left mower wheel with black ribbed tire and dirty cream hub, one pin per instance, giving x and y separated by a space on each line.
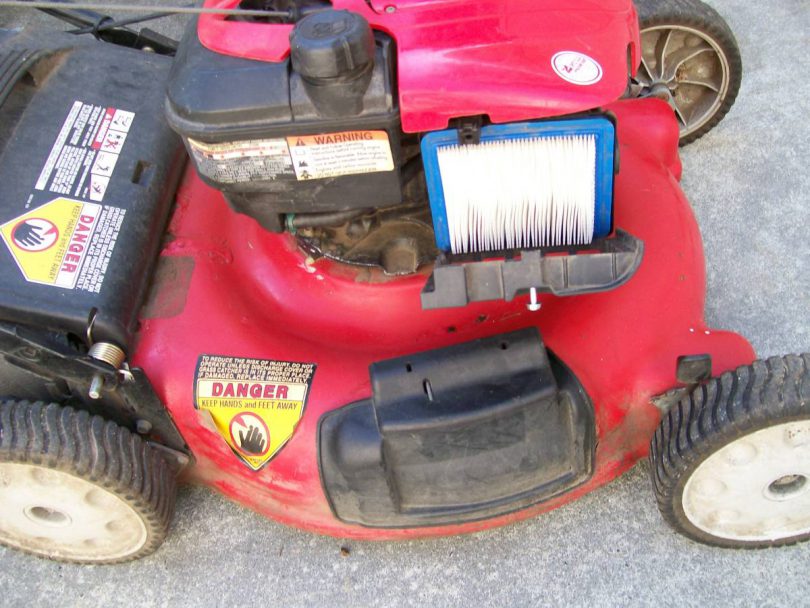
77 488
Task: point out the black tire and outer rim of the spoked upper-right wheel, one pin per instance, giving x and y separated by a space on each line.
655 15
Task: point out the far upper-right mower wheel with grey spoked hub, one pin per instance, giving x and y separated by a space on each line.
690 59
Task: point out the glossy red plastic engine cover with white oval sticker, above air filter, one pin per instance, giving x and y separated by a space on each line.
461 58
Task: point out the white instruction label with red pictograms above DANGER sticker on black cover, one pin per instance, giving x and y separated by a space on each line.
82 158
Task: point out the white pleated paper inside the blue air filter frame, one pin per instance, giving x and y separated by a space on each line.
519 193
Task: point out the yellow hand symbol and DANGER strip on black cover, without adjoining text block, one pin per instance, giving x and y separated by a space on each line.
50 243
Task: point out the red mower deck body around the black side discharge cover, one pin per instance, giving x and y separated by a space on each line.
255 294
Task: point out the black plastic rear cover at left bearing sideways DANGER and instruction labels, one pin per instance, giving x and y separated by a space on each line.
87 172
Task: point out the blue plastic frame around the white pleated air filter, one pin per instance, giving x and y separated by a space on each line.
601 128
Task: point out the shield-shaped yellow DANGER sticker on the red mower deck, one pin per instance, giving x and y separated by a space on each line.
255 404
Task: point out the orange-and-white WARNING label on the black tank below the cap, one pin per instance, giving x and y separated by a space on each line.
336 154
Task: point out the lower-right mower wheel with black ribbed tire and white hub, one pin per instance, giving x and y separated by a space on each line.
731 412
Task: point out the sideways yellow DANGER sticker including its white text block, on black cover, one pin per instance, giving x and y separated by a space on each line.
65 243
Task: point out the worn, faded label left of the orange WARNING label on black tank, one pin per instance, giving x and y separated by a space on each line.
243 161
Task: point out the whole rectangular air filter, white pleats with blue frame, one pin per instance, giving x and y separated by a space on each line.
523 186
